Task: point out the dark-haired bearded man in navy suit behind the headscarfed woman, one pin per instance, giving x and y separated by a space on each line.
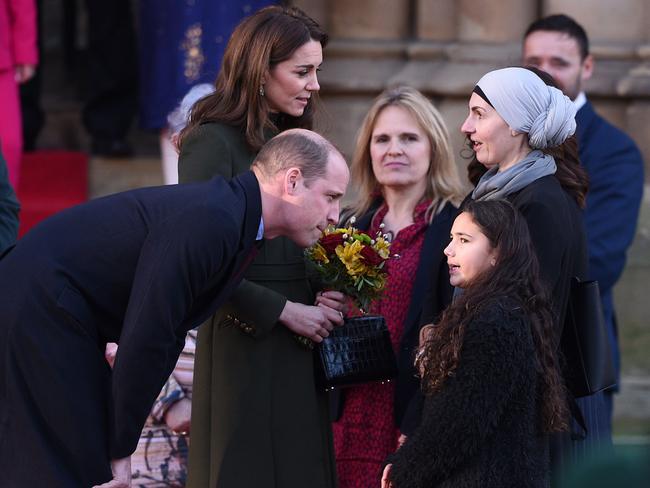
559 45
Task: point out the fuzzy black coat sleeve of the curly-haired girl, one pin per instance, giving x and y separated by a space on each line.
458 419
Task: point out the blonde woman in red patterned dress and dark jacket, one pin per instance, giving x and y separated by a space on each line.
407 180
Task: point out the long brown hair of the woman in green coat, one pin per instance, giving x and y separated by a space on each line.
261 41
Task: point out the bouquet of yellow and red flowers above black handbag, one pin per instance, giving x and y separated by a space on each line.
351 262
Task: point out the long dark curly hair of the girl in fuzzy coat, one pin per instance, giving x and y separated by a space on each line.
516 276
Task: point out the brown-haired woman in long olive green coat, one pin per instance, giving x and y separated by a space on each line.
257 418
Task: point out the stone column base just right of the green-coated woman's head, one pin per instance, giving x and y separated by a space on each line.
369 19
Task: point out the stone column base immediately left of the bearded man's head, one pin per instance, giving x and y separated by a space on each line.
493 22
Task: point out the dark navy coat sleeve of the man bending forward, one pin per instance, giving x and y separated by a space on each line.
172 270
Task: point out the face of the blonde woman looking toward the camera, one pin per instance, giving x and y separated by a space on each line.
399 149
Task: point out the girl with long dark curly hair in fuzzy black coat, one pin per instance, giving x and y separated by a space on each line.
489 369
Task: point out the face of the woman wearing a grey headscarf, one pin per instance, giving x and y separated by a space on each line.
491 137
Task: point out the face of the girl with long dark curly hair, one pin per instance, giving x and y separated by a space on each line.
469 253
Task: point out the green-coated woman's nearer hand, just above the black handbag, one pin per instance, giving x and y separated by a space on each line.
313 322
